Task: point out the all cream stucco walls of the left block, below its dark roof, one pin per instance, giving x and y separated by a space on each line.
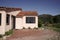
3 26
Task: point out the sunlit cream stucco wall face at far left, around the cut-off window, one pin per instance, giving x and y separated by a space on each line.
3 22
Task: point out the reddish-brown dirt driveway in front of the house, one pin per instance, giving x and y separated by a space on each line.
31 35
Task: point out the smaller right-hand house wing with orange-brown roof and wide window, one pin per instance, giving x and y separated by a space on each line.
26 19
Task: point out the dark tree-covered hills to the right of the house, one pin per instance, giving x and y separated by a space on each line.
46 18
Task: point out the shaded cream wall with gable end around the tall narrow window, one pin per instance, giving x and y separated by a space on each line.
10 26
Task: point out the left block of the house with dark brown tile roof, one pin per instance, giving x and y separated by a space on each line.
7 17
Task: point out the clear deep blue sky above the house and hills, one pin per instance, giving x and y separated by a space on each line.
41 6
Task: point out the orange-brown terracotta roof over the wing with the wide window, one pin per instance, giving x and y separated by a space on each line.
27 13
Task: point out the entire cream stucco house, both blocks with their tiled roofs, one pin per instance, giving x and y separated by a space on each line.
15 18
